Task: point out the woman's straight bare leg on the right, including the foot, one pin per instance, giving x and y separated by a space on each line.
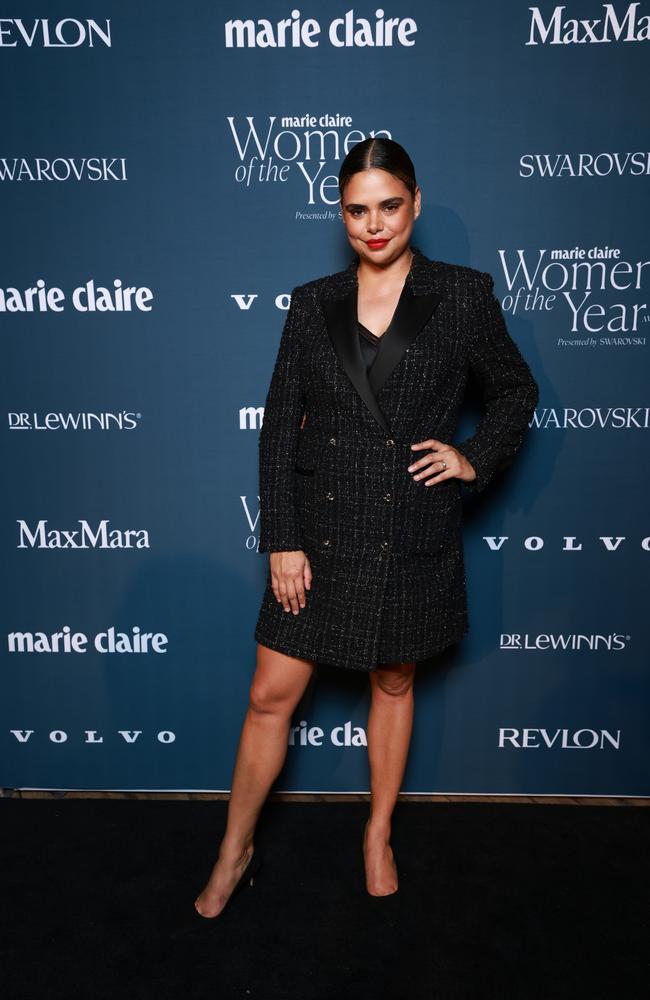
390 723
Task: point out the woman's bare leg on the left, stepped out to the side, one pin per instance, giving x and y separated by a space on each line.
277 686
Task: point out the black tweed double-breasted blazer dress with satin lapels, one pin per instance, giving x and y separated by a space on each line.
386 551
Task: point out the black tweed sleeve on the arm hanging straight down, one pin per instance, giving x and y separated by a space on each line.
278 441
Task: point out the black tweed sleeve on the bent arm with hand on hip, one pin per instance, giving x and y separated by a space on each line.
508 388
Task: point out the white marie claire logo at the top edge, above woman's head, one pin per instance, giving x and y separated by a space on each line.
342 32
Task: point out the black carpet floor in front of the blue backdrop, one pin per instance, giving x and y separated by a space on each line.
500 901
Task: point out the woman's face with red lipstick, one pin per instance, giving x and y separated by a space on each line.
378 212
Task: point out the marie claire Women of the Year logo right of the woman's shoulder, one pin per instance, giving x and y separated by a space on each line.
582 280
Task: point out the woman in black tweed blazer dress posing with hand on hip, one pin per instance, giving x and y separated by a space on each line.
360 491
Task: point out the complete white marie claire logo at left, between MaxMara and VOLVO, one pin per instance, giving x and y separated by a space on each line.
67 641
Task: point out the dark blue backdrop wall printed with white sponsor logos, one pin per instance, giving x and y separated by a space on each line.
168 174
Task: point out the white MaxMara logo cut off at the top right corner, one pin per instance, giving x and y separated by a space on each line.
553 28
